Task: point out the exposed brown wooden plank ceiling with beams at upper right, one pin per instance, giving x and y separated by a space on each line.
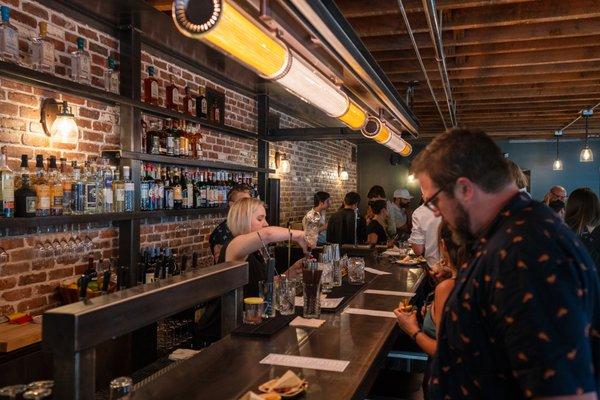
517 68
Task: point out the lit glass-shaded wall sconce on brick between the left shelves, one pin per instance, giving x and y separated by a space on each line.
59 122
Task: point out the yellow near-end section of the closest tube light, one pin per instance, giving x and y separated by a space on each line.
228 30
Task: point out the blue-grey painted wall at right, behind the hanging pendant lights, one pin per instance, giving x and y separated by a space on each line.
539 156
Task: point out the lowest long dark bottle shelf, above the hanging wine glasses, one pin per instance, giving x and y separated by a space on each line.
25 223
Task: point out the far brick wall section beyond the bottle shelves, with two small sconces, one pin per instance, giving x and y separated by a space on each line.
313 168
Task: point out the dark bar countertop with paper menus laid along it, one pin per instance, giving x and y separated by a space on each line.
230 367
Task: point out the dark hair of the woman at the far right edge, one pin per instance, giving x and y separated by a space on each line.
583 209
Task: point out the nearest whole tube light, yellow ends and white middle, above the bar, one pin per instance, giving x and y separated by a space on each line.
222 26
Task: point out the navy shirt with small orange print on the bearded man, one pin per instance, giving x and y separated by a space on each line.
524 317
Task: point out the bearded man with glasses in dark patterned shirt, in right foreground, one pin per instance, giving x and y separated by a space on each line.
523 320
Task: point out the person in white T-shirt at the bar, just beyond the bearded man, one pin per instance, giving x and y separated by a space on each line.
424 234
